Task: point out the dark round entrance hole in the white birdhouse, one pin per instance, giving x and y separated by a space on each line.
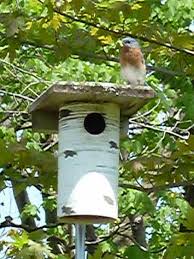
94 123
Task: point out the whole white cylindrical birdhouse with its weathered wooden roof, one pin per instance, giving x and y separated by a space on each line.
87 117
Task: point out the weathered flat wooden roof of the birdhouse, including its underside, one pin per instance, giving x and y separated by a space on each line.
45 108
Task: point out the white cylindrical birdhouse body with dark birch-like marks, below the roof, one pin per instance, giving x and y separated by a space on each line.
88 164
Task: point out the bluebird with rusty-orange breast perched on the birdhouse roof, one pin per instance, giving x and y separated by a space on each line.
133 67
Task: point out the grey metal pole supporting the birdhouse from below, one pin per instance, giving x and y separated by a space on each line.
80 231
